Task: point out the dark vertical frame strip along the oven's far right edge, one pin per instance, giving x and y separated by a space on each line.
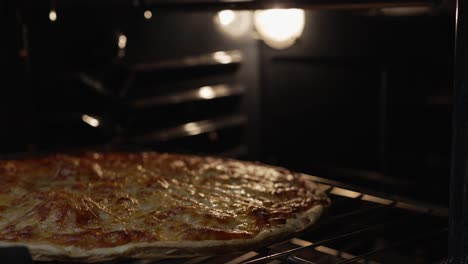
458 221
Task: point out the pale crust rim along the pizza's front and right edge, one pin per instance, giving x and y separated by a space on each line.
179 249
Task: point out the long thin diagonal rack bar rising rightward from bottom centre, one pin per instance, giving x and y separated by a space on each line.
328 240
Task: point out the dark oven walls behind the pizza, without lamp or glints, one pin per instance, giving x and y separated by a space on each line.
362 97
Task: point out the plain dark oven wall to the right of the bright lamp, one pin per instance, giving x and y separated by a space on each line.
363 97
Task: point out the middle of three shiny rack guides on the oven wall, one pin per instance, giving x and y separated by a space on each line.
202 93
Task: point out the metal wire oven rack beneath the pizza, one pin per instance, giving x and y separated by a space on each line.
359 227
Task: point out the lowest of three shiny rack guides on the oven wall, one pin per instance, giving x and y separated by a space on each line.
191 129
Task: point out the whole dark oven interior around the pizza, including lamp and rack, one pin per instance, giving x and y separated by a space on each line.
361 97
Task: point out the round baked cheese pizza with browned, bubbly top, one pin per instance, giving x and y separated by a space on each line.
93 207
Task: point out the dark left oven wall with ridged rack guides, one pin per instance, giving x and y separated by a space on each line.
79 71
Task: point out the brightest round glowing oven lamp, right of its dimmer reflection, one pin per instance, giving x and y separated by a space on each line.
279 28
